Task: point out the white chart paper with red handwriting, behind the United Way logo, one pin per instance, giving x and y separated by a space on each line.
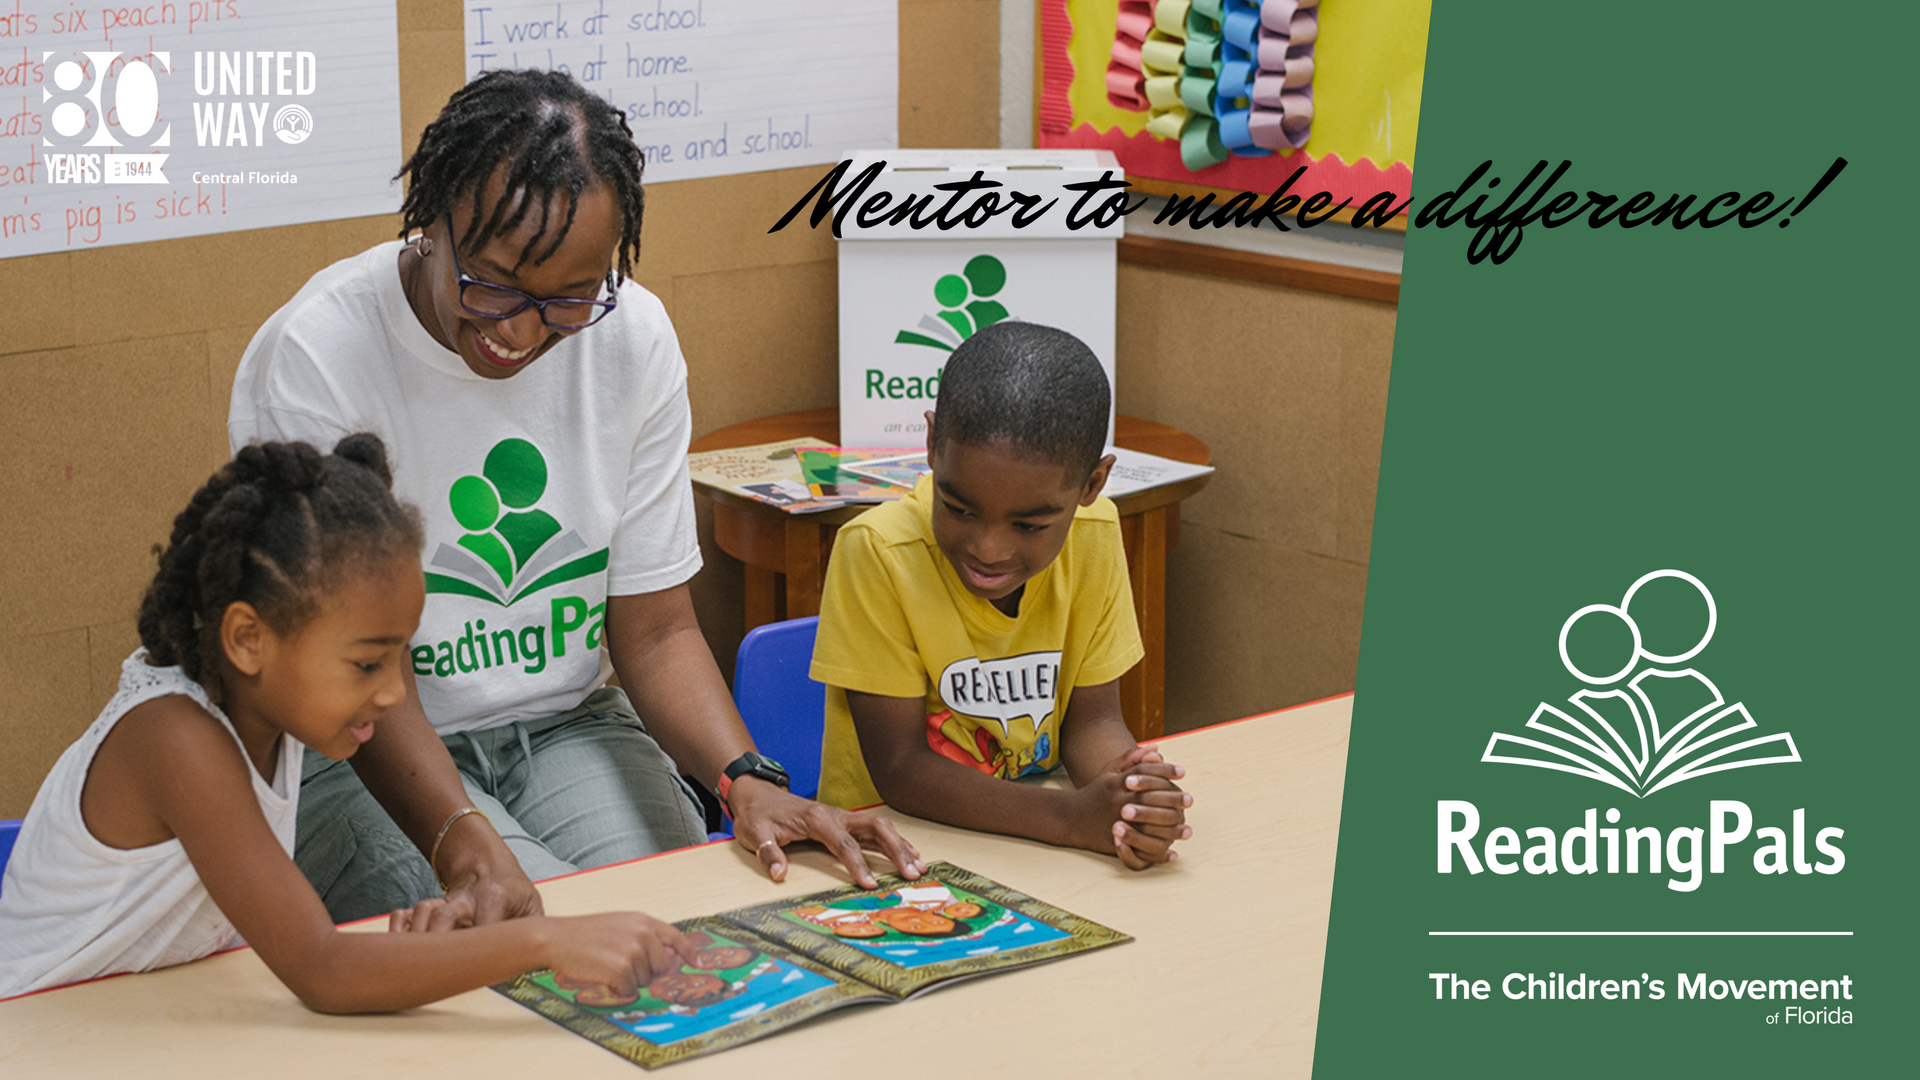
218 116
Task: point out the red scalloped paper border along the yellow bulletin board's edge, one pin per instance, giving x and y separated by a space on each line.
1147 157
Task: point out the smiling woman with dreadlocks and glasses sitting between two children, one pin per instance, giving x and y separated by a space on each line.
537 406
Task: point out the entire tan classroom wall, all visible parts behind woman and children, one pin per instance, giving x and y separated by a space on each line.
118 362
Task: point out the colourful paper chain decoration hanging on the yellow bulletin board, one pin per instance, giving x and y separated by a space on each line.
1218 76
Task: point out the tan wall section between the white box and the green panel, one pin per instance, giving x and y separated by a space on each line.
1289 393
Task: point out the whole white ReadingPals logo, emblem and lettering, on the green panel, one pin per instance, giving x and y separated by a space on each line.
1646 724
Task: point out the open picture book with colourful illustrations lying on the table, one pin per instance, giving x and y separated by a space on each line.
775 966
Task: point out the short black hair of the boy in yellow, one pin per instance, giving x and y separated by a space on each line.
1038 389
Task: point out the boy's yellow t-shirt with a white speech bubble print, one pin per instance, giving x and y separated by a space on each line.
898 622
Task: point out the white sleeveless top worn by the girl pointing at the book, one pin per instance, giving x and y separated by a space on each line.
72 908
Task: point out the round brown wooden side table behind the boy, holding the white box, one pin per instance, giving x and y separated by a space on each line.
786 554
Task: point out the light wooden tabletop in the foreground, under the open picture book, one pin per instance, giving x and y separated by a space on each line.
1222 981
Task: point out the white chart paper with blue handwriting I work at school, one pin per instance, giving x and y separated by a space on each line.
715 87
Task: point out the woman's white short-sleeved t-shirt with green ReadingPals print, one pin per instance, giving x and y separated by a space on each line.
542 493
